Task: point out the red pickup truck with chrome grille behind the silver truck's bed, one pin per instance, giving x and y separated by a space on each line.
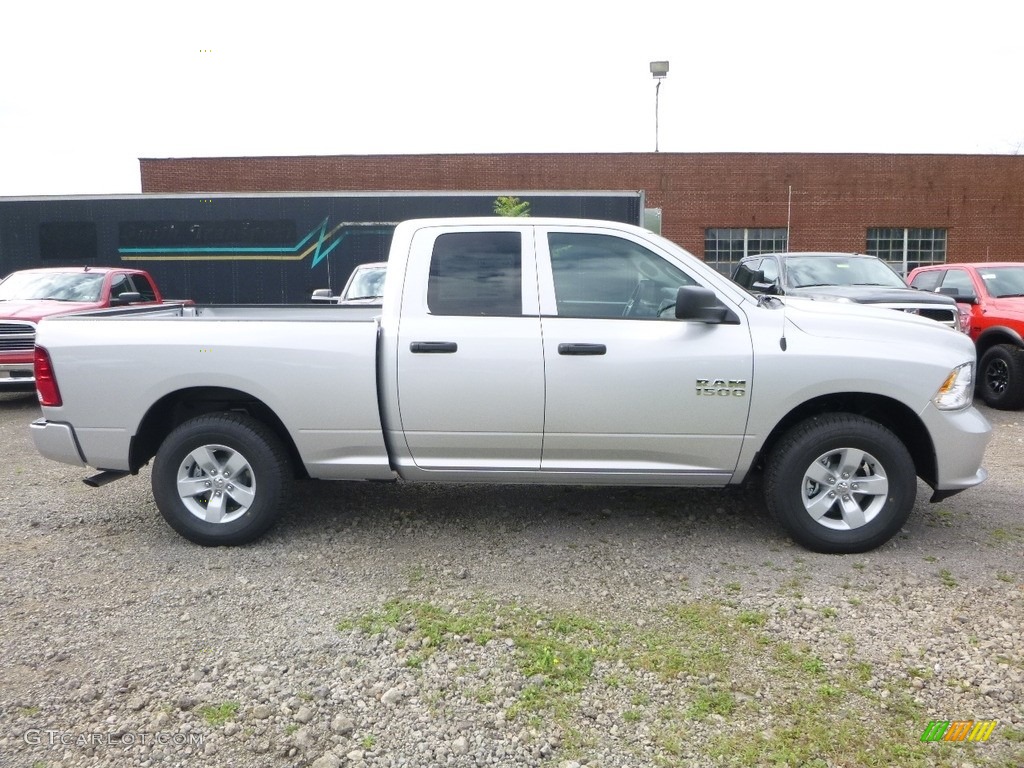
30 295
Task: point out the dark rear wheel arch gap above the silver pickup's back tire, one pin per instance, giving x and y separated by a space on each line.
179 407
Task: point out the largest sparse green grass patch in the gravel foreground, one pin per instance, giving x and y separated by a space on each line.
782 704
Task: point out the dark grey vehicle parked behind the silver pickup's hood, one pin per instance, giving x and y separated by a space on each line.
842 277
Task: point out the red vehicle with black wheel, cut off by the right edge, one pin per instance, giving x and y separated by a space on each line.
991 297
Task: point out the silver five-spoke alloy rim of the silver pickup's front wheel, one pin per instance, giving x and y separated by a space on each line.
845 489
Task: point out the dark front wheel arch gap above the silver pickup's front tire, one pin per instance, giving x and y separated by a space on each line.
893 415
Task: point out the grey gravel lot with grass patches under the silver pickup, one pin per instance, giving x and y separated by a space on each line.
401 626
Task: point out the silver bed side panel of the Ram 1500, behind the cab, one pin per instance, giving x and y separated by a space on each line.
319 377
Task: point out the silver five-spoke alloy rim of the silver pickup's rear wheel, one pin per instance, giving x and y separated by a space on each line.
217 484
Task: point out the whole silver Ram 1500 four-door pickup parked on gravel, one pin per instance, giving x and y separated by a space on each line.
522 351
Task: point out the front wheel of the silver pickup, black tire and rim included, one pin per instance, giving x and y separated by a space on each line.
805 486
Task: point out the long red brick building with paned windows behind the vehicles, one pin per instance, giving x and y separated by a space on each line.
909 209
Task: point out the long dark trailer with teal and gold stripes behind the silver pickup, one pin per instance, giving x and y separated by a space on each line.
228 248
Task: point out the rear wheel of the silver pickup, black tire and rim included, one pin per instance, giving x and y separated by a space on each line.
241 492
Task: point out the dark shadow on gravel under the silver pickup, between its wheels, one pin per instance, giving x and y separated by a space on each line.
385 511
